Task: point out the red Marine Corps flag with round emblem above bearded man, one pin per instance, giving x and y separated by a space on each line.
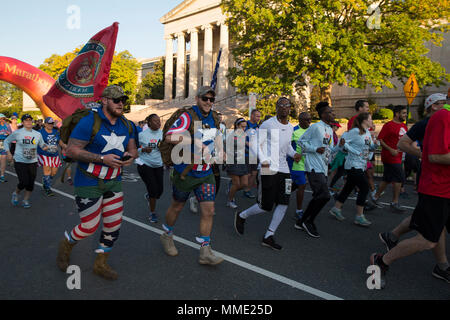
87 75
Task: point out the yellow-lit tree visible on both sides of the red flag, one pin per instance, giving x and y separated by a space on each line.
123 72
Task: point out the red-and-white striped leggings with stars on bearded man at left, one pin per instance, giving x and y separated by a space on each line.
110 207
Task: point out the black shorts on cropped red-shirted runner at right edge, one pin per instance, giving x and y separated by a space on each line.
431 216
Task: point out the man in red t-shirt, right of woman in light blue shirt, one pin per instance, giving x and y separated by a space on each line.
391 157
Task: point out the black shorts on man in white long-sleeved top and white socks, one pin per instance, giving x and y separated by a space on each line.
272 190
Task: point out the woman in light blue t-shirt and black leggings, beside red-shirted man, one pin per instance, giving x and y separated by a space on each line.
358 144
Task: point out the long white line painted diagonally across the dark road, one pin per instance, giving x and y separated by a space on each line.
243 264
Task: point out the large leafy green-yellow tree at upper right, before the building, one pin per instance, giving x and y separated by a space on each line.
279 43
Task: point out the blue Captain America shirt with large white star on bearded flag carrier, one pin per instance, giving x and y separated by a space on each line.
110 139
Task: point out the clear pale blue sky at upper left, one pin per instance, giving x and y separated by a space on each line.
33 30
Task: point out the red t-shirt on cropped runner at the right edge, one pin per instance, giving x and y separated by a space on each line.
435 178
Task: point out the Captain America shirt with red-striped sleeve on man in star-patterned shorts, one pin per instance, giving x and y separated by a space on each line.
207 134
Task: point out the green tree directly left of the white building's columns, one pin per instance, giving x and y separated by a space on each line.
152 86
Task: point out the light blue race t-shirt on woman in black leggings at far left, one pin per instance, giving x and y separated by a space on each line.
27 142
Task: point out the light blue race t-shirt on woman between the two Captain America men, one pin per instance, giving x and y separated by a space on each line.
152 139
